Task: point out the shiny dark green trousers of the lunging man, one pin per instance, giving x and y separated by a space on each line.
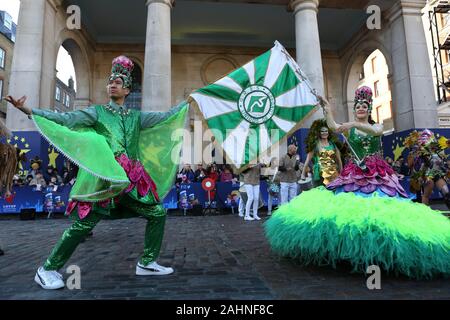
126 208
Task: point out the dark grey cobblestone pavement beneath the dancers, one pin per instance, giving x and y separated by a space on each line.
215 257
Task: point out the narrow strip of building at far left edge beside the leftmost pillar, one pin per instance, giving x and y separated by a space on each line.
7 39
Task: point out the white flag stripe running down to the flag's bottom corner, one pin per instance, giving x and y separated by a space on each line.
234 144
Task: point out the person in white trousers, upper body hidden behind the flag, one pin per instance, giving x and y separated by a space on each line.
251 183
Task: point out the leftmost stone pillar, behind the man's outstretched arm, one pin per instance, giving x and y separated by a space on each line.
26 70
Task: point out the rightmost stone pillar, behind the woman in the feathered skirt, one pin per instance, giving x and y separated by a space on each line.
413 92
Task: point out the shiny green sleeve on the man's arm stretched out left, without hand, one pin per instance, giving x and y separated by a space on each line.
80 118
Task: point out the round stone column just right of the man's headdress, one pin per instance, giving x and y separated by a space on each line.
157 93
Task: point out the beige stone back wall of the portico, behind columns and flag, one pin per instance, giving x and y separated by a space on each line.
193 67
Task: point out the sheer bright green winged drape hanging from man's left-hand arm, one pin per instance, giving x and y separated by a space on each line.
100 176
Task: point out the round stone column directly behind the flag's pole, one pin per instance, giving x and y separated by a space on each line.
309 55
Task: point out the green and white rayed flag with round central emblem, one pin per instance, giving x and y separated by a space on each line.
257 105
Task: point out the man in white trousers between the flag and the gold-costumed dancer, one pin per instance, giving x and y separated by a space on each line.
289 165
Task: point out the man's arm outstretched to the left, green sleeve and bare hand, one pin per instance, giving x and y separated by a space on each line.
86 117
